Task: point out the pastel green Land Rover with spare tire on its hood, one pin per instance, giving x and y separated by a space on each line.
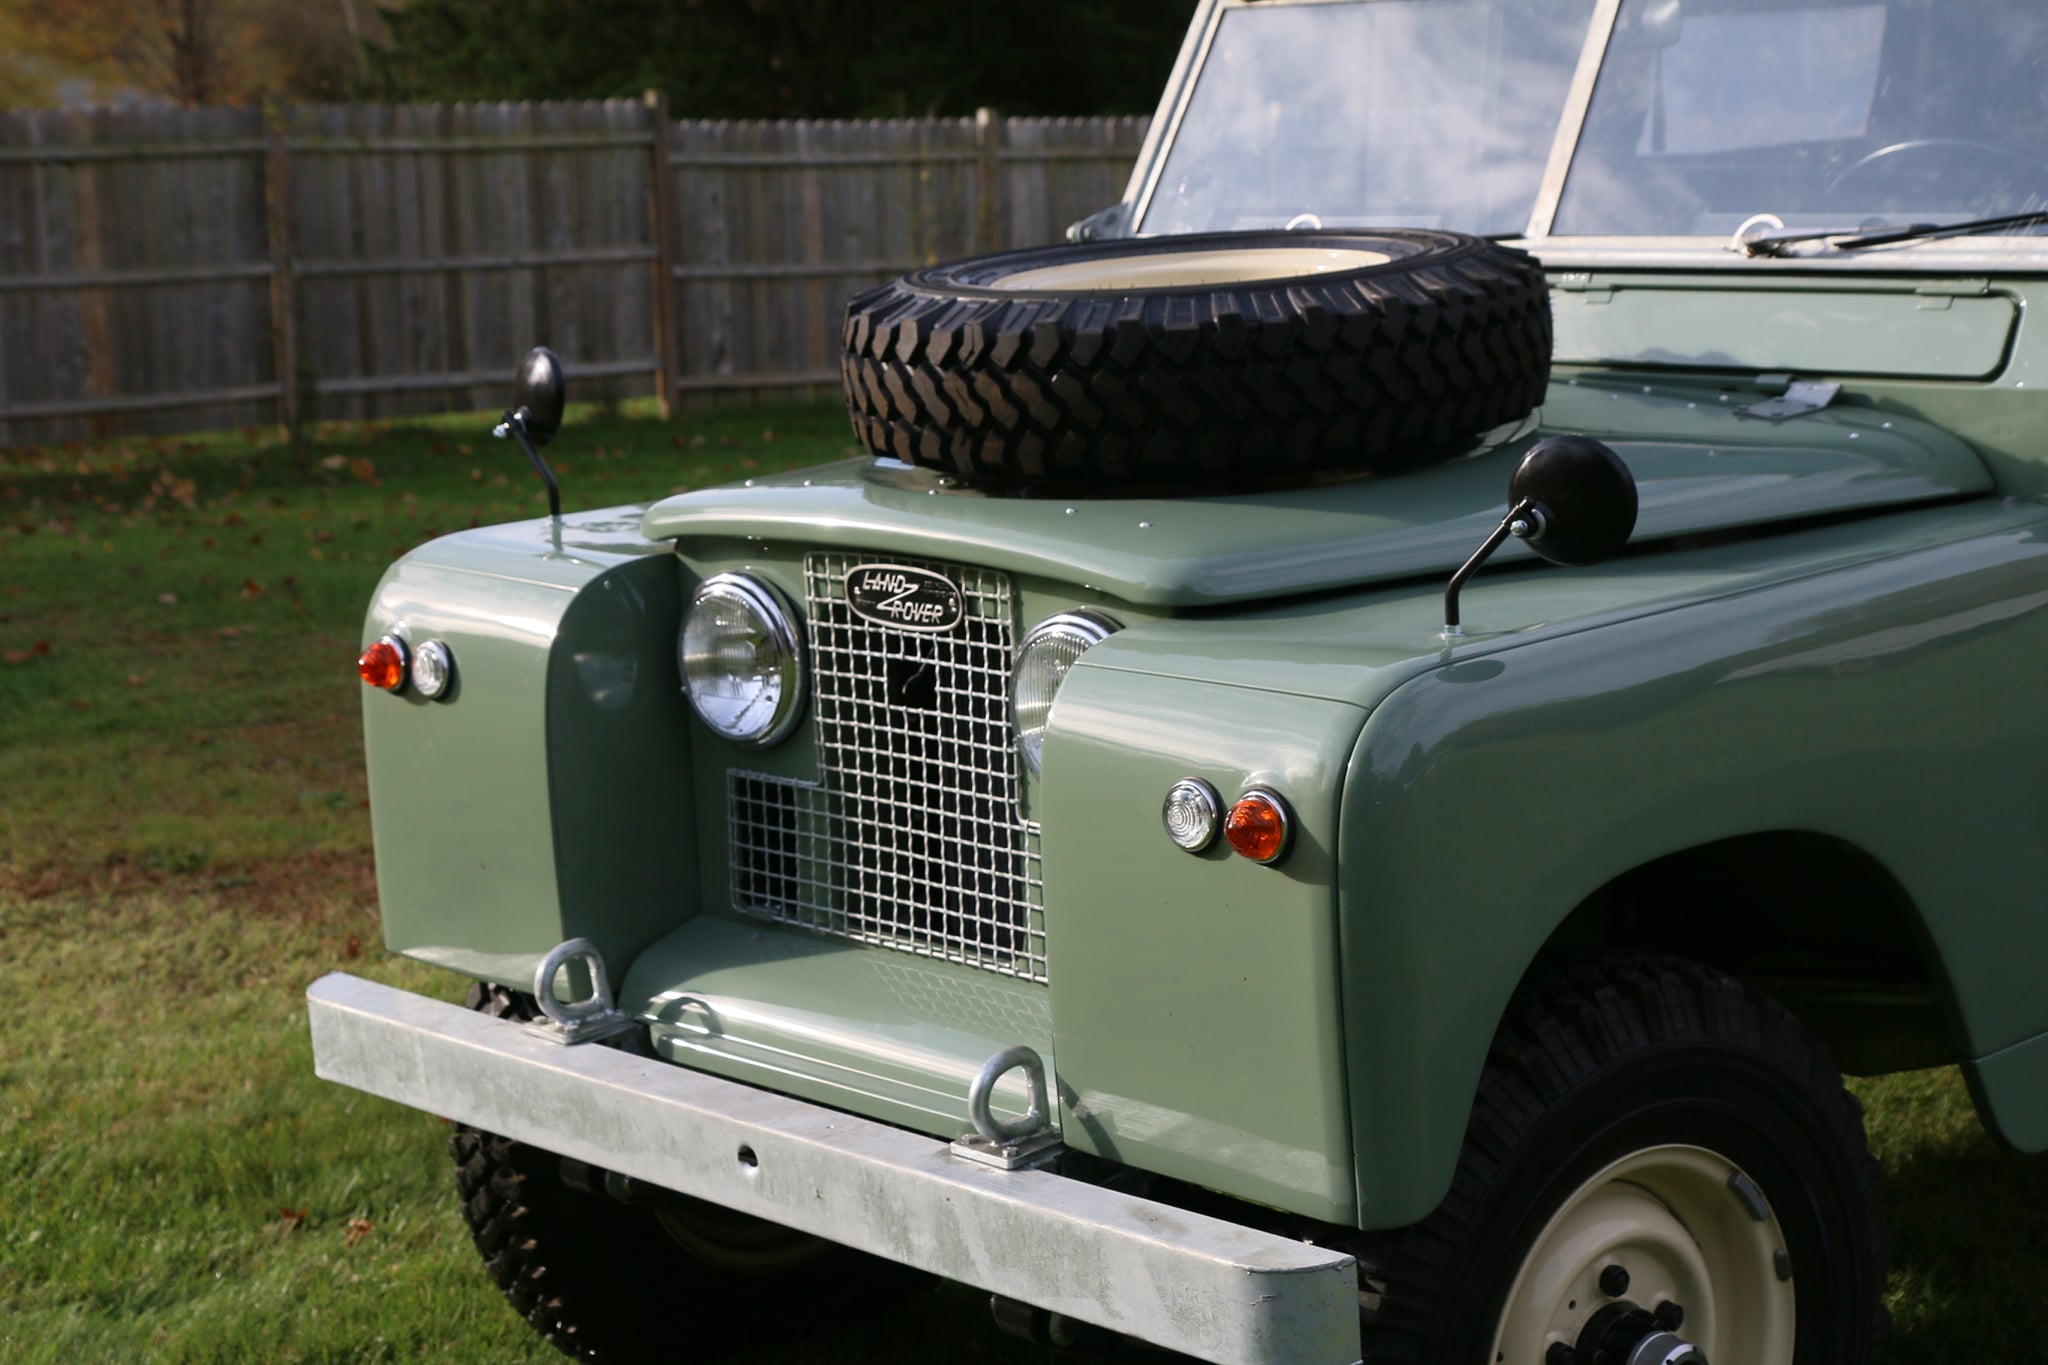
1353 768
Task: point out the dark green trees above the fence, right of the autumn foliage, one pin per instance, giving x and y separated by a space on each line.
787 58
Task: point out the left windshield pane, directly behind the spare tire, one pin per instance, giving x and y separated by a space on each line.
1420 114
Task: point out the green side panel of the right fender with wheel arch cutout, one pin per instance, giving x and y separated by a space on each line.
1875 703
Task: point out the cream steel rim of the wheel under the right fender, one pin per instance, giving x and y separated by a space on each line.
1691 1229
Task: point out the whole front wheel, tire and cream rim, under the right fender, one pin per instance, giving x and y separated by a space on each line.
1662 1170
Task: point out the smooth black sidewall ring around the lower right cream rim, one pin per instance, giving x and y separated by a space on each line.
1727 1102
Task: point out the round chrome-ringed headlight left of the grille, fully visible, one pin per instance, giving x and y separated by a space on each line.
742 660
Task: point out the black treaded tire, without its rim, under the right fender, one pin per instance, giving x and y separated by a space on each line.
1623 1055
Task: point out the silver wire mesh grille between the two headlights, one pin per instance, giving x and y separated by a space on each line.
912 838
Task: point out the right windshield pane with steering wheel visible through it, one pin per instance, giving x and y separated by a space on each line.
1830 116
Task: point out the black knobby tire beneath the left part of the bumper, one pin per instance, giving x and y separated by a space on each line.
603 1280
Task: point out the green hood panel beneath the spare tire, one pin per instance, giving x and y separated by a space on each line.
1699 466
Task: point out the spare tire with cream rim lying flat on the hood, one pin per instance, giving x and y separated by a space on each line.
1199 363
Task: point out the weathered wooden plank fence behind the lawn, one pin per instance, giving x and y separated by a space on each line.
198 269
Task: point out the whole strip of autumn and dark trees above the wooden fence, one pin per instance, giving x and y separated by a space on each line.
716 58
